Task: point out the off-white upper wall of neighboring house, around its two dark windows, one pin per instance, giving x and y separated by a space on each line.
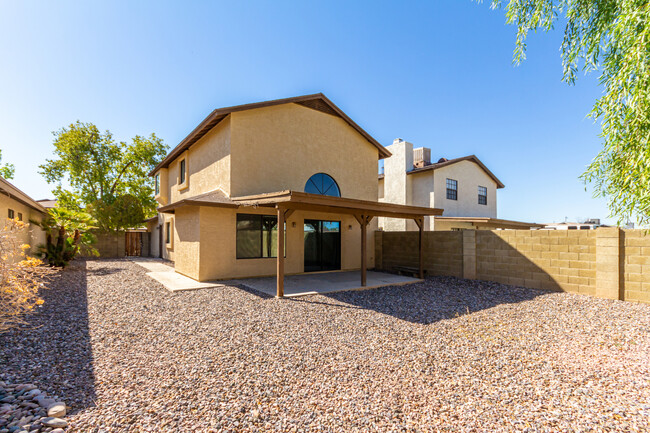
469 177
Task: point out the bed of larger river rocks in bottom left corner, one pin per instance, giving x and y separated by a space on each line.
26 409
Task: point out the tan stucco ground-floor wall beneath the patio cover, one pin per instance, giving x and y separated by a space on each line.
208 247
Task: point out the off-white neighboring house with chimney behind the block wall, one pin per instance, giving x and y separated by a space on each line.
463 187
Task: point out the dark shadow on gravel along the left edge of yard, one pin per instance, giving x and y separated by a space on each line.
53 351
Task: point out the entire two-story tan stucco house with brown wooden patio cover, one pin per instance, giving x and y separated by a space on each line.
227 187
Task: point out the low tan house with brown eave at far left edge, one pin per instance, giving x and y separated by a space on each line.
15 204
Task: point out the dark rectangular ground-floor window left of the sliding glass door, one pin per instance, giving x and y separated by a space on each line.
257 236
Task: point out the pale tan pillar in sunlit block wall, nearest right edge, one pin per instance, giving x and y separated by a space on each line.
608 272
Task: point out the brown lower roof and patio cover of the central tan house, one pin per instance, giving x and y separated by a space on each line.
306 201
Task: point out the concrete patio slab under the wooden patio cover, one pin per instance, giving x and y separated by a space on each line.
323 282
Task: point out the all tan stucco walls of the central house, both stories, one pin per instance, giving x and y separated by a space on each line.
266 150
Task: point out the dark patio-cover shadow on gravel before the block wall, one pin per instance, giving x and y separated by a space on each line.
437 298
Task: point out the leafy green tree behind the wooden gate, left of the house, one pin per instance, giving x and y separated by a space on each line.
106 178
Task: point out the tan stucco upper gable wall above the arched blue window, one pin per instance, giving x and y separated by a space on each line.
281 147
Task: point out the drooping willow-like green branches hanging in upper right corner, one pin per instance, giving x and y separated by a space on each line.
612 37
